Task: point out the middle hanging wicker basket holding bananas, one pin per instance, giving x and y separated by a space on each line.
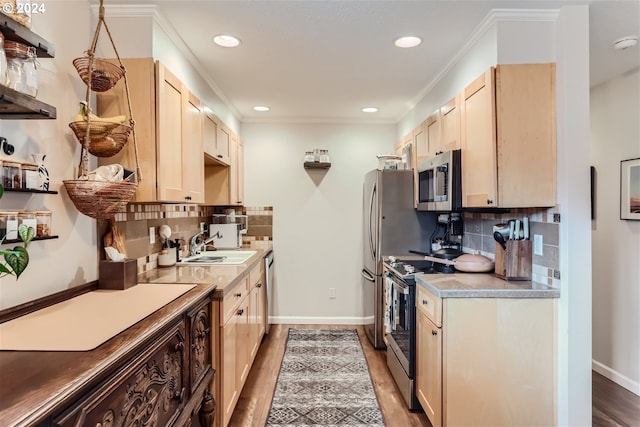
106 139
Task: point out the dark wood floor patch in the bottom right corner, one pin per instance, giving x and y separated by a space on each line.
613 405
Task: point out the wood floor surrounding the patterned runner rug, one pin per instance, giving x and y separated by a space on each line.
255 400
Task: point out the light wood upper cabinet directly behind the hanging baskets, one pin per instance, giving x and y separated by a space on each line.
168 133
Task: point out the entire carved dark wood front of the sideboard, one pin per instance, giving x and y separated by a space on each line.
165 384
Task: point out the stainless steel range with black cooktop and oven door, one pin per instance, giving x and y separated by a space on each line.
400 323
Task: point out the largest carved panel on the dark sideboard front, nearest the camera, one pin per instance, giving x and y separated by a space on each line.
147 391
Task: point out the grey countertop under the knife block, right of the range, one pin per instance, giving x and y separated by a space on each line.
482 285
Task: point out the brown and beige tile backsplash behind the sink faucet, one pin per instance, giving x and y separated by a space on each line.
184 221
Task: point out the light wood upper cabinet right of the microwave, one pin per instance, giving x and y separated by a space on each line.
509 134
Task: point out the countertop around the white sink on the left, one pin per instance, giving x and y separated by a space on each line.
223 277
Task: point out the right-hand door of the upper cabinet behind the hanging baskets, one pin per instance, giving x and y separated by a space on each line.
192 152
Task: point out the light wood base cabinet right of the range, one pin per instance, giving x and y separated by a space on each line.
492 361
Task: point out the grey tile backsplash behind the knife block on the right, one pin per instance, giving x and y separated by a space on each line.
478 236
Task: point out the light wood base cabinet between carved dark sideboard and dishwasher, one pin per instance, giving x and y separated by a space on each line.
239 316
